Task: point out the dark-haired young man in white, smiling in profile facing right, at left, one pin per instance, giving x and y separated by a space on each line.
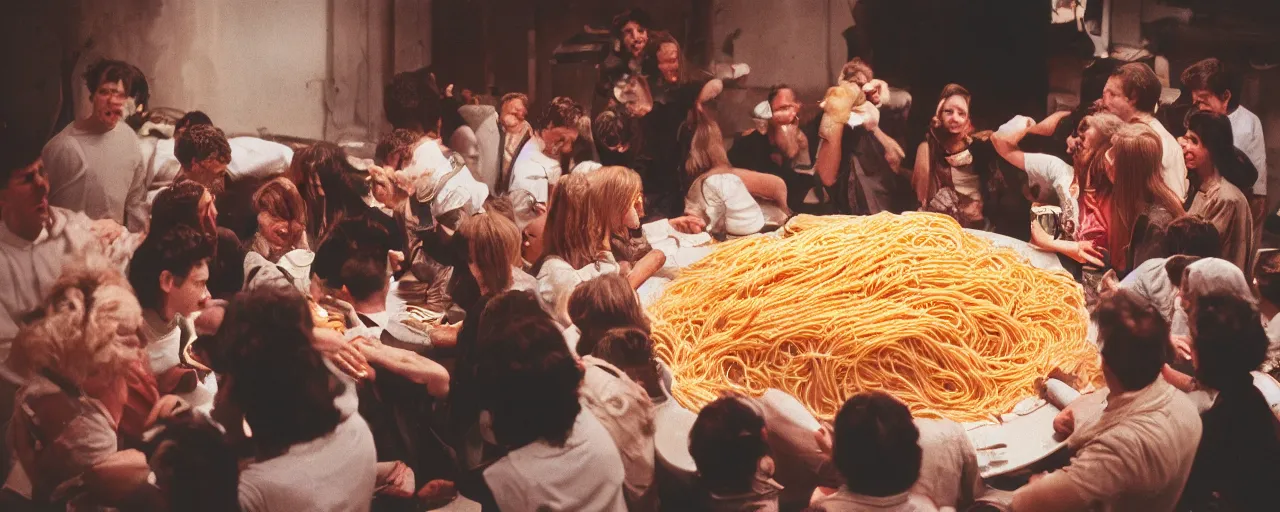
170 275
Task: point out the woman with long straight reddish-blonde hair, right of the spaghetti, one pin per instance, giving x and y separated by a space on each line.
1142 205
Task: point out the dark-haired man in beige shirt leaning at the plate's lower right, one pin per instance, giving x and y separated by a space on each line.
1137 455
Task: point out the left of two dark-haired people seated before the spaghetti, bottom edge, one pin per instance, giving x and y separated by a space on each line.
729 447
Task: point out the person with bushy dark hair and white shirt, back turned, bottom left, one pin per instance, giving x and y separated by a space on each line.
307 432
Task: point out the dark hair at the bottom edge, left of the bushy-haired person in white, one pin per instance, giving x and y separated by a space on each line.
200 468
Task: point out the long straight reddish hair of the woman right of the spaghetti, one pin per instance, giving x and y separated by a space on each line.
1139 186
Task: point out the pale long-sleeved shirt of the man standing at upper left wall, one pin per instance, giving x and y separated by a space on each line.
100 175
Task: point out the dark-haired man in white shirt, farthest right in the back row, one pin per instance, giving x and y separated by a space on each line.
1215 90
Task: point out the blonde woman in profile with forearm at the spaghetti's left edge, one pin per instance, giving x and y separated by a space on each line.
618 198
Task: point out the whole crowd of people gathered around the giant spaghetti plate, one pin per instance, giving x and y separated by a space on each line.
459 317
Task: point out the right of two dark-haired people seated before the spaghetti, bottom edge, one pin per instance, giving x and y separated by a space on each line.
877 450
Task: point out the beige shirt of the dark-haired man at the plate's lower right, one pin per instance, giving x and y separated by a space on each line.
1139 454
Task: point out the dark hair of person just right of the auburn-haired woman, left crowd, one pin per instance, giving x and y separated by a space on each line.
354 255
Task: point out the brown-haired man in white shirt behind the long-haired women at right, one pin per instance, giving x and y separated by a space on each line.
1132 94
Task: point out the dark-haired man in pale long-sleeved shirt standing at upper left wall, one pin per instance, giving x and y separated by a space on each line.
95 164
